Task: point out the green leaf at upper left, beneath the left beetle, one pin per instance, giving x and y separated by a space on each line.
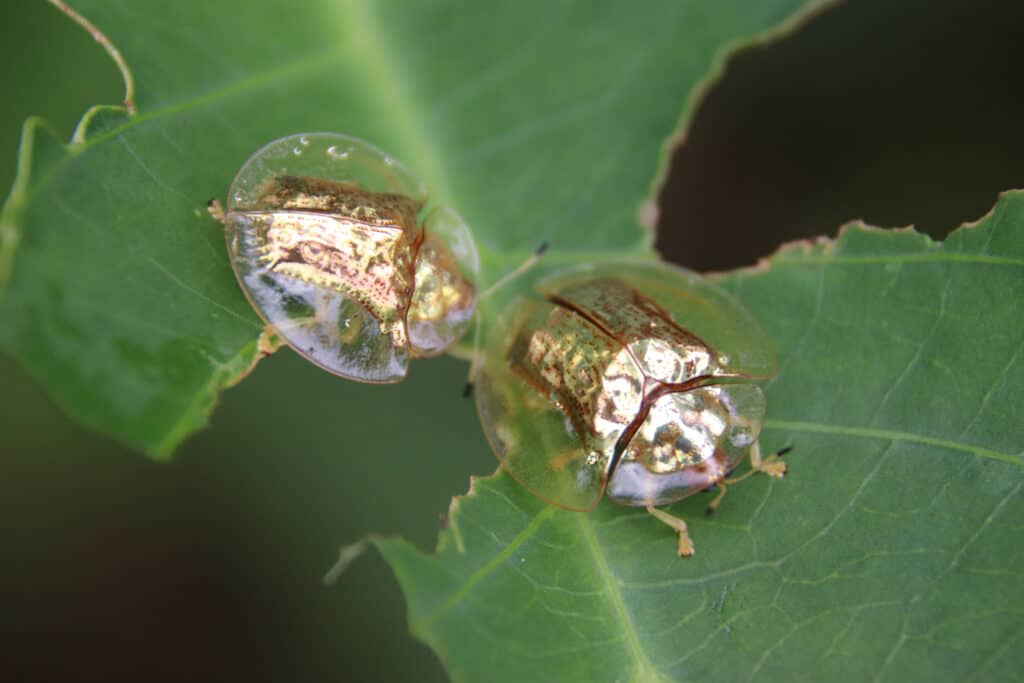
547 122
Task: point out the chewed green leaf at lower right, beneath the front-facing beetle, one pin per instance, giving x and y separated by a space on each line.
891 551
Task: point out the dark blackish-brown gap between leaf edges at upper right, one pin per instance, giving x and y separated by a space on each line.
898 114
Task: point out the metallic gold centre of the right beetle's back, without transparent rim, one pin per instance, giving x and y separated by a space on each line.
600 354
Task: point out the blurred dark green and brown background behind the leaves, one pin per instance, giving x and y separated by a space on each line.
118 568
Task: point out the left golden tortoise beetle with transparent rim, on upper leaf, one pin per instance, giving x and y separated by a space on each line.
334 246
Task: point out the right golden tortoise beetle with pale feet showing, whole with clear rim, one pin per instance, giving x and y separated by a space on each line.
630 380
